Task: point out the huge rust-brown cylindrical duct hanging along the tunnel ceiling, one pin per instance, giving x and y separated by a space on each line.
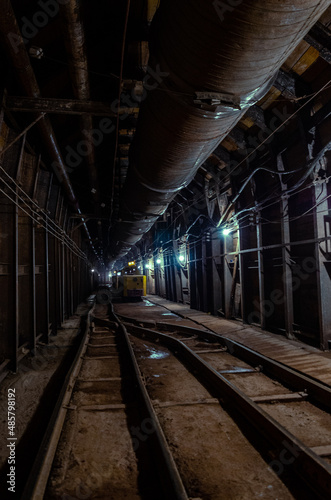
213 60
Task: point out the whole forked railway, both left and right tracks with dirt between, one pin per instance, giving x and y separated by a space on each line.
113 434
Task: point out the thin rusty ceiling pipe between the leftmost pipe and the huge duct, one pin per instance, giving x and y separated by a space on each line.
74 38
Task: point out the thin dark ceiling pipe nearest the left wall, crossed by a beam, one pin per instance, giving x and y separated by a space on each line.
15 49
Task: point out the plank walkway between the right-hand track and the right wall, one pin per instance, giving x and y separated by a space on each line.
295 354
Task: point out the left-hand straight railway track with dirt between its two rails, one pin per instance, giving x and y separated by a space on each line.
92 448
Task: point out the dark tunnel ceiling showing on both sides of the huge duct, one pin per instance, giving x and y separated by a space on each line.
82 67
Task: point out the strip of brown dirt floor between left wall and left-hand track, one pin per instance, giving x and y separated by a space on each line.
32 383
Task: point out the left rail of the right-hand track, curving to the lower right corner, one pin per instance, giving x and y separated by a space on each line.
311 469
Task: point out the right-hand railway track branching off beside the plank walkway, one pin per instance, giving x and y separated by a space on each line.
224 365
